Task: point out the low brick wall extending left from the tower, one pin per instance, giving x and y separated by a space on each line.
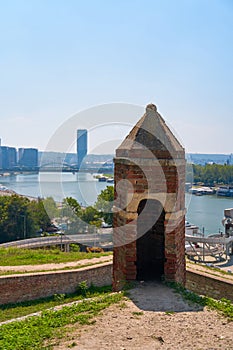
17 288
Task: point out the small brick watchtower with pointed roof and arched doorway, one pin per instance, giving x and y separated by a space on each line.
149 211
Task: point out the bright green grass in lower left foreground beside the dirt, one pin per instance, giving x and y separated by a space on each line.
38 332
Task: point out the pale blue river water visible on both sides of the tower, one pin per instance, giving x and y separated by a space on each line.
203 211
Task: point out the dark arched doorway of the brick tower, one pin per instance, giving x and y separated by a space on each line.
150 241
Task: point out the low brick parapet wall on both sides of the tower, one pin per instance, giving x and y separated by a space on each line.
26 287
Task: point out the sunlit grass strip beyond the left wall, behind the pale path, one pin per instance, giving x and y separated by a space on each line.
17 257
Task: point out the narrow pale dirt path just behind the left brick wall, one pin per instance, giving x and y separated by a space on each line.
55 266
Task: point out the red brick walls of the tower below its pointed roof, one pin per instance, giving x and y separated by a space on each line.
125 221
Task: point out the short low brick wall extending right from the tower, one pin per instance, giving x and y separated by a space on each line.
212 286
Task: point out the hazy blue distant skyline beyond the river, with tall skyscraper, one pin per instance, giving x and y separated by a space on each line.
30 159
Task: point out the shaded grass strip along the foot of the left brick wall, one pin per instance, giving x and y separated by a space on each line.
10 311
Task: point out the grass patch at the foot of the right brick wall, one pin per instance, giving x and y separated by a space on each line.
224 306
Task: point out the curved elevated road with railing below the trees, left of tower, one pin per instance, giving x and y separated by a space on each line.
102 240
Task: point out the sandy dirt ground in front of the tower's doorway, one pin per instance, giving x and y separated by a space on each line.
153 318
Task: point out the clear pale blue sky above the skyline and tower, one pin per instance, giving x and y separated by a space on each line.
59 58
